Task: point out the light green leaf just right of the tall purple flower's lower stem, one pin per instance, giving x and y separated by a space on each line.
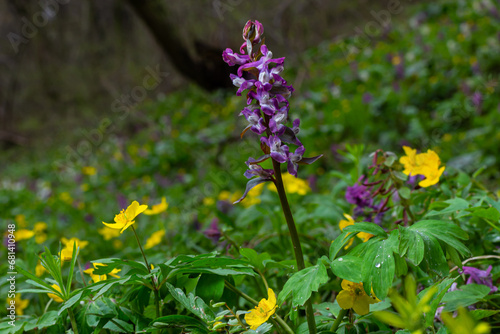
303 283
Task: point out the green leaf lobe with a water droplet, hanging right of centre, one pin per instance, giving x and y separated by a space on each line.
379 266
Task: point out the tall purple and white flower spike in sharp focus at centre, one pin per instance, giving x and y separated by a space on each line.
267 105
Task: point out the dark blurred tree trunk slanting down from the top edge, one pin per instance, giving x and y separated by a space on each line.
207 70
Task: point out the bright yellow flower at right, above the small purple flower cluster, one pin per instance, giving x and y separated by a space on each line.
426 164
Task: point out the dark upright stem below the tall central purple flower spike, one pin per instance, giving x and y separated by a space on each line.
299 256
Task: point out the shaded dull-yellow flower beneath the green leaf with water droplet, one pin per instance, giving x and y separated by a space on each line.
354 296
